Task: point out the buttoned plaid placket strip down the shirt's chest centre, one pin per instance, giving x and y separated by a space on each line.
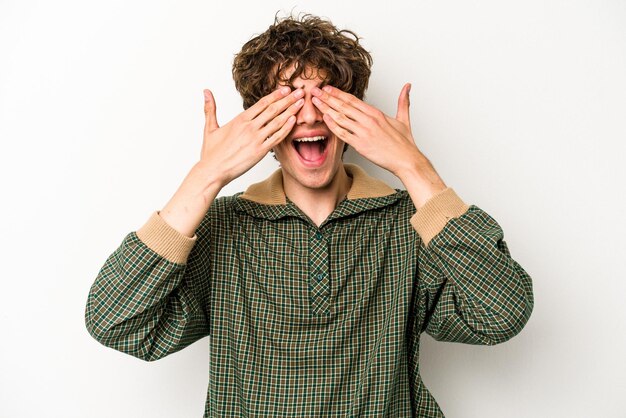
319 277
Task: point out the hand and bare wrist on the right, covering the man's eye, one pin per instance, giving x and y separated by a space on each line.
387 142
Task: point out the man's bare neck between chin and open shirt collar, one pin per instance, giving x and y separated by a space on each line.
318 204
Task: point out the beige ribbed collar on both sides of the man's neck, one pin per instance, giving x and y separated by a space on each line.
271 192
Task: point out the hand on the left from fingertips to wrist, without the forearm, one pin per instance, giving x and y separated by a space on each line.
231 150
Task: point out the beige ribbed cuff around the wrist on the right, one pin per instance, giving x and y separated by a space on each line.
430 219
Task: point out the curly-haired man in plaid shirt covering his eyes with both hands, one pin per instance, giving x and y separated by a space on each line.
316 283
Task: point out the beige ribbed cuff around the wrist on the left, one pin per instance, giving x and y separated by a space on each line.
164 240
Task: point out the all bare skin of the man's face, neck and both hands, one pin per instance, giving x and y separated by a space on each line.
273 122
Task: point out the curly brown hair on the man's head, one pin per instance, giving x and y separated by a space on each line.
304 42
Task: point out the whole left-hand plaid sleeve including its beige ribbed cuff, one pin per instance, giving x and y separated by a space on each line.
149 299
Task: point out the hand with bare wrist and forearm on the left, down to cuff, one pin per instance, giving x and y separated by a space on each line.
230 151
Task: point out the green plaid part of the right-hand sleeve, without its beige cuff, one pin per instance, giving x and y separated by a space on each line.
470 289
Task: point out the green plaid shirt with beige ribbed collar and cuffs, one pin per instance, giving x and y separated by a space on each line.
313 321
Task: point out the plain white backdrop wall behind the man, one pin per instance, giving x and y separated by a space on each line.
520 105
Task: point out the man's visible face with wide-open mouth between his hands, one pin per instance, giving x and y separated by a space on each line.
311 155
